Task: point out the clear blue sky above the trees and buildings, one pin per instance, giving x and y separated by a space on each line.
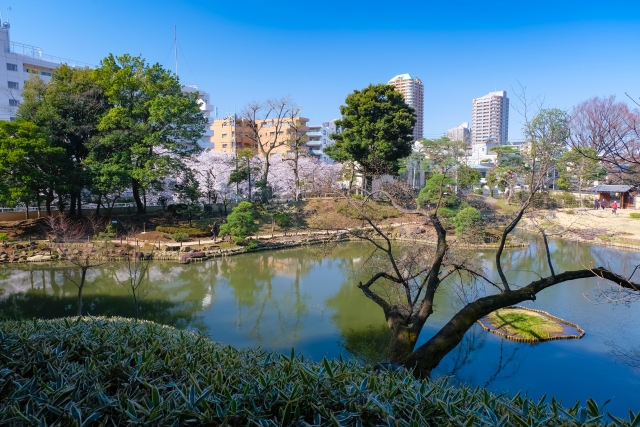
317 52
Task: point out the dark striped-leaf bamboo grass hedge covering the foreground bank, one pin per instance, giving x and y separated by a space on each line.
101 371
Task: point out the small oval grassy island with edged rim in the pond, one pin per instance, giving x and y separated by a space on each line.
528 325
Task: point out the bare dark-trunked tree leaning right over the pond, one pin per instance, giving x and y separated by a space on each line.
407 282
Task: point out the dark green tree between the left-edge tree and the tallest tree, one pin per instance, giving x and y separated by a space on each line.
67 111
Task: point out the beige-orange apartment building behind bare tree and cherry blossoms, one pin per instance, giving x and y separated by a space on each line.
232 133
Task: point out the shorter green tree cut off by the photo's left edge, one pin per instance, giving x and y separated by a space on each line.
29 164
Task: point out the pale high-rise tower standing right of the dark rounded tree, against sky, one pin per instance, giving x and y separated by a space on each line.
490 119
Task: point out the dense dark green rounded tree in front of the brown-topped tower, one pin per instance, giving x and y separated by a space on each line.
376 130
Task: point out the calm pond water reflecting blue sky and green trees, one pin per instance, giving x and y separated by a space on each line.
307 298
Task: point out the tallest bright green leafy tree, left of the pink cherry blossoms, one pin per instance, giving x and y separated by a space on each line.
151 126
